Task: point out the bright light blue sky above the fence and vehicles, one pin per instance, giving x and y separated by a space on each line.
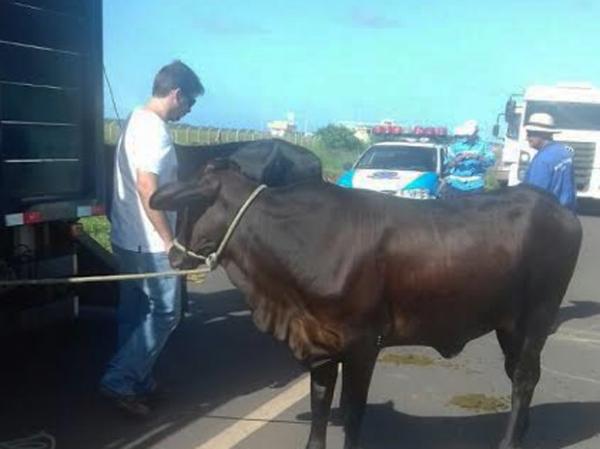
430 62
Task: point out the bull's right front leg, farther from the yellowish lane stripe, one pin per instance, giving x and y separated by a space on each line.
357 369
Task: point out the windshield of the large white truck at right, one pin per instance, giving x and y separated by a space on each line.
576 116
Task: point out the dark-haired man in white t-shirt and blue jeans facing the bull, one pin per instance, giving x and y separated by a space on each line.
149 310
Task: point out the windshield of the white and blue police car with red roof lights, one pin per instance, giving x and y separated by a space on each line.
399 158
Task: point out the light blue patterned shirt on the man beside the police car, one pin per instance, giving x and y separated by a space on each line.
467 162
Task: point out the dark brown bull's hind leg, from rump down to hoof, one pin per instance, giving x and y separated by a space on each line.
551 257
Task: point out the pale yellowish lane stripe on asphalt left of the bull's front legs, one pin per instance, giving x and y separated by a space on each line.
260 417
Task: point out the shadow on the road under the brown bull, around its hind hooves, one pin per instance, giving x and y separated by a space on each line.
553 426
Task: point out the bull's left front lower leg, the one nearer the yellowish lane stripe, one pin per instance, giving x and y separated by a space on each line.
322 385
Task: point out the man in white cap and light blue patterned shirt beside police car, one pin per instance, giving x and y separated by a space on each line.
467 162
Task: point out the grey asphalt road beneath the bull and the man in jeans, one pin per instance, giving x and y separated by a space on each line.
233 387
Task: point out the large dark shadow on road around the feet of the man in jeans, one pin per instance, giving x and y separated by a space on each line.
48 381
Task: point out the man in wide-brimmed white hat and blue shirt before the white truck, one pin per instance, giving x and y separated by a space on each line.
551 168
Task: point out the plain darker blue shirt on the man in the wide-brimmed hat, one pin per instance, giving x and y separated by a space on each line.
552 170
